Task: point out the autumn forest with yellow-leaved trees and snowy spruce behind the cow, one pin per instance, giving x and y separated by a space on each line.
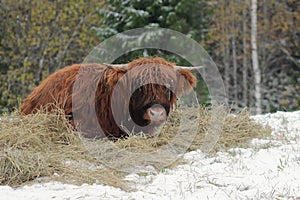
40 37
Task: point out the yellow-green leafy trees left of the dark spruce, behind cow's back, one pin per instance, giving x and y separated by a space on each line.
37 38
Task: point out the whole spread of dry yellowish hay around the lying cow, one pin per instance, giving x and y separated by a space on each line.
43 147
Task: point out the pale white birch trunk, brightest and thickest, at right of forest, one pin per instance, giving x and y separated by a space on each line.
256 70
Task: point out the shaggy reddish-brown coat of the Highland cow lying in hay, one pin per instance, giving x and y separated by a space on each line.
86 93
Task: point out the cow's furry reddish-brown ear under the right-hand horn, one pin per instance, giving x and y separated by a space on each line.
186 81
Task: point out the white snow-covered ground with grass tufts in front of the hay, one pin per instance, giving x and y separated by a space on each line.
269 170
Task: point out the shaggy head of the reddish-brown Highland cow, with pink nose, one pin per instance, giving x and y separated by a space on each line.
148 88
